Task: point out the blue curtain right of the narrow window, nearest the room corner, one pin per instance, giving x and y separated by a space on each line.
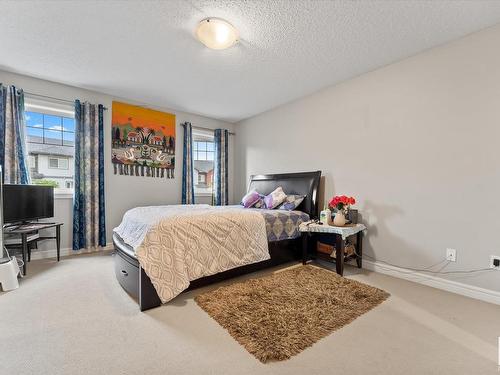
220 195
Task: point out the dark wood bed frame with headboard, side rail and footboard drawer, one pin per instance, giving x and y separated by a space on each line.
134 280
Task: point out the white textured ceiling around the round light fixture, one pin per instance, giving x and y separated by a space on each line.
145 50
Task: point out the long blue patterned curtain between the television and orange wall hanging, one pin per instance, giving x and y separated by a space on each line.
89 228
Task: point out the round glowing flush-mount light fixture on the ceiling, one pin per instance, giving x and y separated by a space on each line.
216 33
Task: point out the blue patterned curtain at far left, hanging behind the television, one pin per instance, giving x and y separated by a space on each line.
13 152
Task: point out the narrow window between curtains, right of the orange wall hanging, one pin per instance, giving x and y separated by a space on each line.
203 163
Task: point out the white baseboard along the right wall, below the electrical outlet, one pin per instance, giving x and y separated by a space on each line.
471 291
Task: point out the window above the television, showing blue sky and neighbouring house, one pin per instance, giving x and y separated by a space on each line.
50 134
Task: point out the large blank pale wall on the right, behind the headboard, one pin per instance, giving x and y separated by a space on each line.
415 142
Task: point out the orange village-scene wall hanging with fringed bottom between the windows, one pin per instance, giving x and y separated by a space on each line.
143 141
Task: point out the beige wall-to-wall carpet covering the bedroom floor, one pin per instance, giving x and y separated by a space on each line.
73 318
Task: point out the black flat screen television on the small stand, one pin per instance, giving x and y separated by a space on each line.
27 202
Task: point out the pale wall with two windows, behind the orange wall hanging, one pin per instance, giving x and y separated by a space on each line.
122 192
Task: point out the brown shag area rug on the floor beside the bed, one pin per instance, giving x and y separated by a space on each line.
277 316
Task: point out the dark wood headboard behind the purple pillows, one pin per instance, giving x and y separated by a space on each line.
303 183
